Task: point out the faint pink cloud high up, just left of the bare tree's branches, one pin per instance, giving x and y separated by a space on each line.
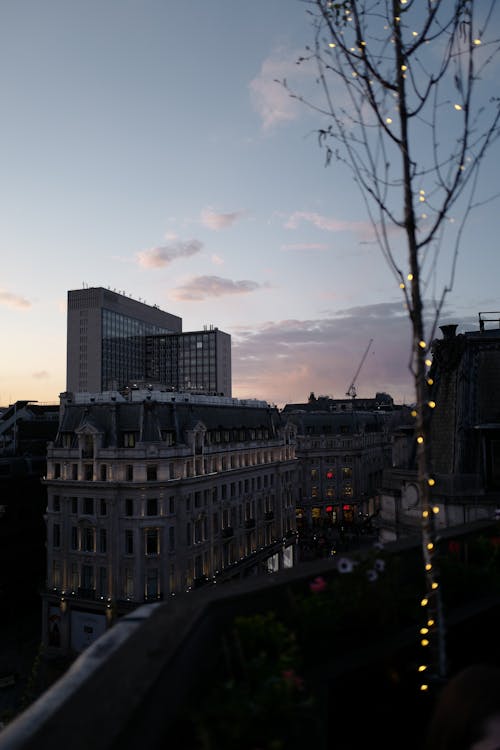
270 99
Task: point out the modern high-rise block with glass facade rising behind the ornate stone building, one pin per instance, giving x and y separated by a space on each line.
114 341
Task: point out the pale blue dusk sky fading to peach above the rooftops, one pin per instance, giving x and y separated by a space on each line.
148 146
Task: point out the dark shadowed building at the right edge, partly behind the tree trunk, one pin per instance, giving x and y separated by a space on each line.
464 445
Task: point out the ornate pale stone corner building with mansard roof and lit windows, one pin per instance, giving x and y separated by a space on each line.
156 493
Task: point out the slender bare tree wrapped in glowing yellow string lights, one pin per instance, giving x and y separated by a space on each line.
407 106
